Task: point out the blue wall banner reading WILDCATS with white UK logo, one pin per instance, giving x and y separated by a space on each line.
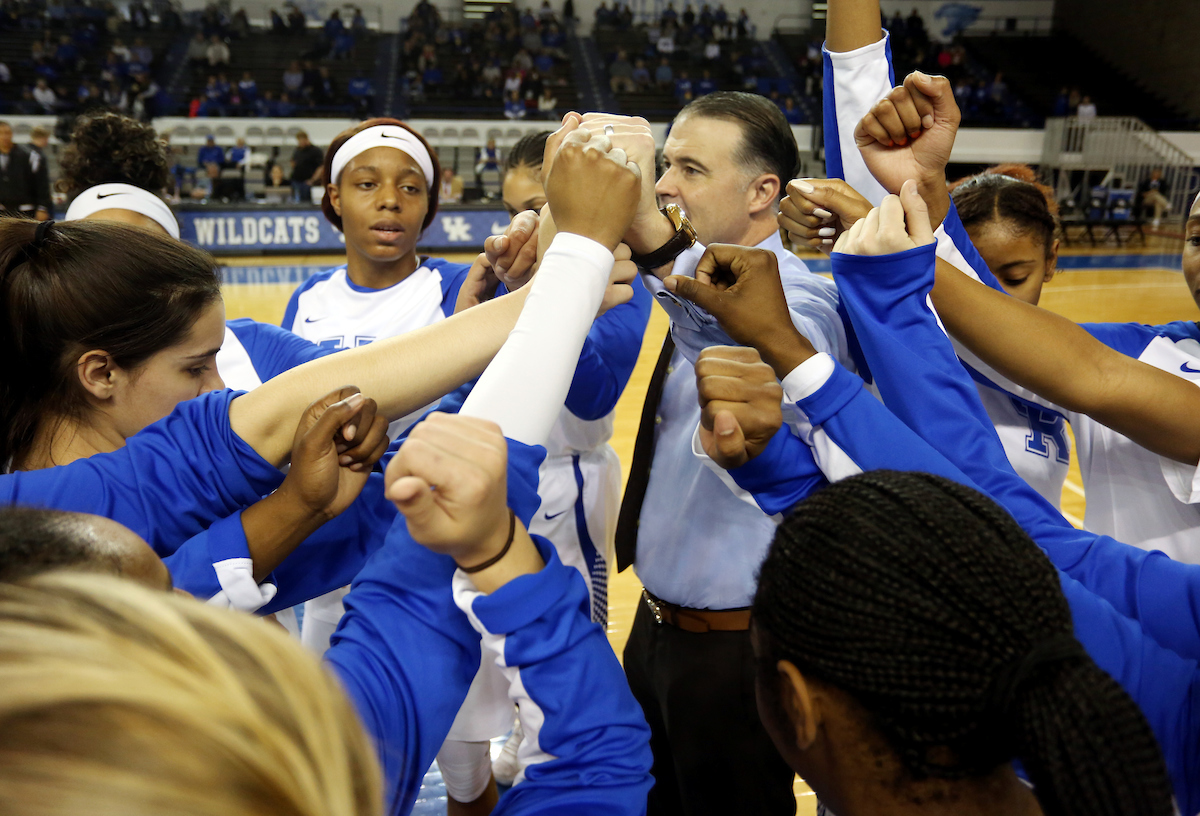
232 232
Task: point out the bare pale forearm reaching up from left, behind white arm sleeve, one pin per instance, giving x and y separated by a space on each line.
400 374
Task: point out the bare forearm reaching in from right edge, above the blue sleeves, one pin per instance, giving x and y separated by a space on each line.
1061 363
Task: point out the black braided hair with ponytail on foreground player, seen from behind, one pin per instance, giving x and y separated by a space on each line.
914 596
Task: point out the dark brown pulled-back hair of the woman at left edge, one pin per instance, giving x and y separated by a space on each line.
68 289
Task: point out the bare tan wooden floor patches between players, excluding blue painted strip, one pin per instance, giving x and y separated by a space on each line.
1144 296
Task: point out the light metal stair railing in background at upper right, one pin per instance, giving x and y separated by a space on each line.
1115 152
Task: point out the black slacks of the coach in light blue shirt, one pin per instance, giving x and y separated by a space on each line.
712 755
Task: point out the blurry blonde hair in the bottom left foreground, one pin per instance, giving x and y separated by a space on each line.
121 700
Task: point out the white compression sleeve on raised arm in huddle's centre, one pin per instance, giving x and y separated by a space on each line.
525 387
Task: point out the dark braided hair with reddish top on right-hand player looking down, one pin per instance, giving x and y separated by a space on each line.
1009 193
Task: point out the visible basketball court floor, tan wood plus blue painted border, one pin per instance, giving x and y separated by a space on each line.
1106 285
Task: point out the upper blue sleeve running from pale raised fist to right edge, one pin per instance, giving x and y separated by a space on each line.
886 298
